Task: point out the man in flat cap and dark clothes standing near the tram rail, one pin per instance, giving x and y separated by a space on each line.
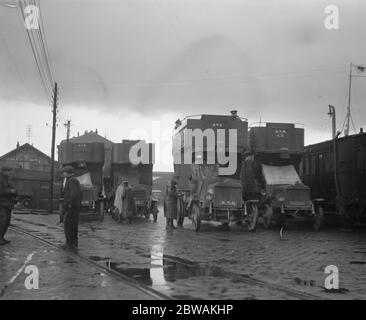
71 207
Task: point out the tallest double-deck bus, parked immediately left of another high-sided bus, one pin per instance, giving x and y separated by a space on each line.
208 183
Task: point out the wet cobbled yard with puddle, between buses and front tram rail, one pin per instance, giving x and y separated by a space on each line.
218 262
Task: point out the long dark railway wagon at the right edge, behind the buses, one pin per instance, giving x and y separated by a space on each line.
338 182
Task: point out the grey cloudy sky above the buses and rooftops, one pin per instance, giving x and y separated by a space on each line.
127 66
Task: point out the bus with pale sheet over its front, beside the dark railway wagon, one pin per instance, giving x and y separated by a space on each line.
270 175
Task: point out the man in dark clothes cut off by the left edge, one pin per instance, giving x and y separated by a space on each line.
7 193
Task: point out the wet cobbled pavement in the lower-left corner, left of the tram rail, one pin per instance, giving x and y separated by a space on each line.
61 276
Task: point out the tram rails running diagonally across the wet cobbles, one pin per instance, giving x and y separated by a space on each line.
242 278
